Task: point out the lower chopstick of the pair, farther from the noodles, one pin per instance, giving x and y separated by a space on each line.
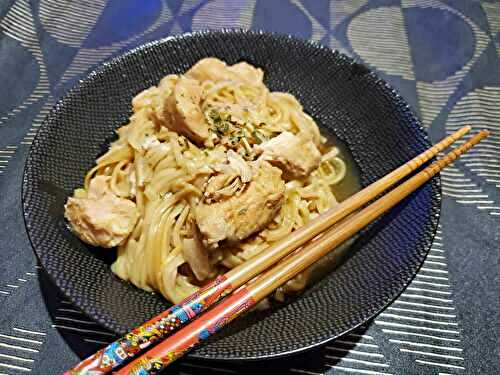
243 299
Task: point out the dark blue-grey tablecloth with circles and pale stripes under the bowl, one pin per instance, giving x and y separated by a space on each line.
443 56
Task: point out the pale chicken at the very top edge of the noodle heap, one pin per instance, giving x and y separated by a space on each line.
212 69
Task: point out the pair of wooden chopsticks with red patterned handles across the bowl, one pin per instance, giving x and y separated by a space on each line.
163 326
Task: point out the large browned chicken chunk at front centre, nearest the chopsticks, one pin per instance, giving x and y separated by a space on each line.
238 217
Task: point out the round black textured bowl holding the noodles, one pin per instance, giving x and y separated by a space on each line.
344 97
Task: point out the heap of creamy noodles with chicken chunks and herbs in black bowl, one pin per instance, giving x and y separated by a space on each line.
211 169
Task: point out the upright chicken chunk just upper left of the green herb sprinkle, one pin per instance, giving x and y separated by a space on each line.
183 113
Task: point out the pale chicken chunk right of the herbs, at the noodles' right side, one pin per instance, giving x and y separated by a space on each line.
296 155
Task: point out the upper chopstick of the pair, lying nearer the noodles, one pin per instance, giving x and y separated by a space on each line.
167 322
